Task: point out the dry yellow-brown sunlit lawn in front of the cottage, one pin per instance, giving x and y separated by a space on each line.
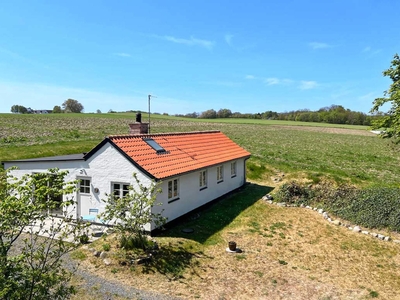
288 253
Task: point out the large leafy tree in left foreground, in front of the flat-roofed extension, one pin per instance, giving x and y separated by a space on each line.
30 265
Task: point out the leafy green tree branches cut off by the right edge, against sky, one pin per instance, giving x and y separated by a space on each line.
391 120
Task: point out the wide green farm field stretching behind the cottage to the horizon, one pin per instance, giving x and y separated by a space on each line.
297 149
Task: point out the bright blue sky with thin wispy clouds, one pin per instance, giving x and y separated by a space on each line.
247 56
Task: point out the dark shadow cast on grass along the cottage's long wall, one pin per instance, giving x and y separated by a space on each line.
213 217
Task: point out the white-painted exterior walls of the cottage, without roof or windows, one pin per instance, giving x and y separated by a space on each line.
108 165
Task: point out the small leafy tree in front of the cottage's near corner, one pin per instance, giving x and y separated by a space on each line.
131 212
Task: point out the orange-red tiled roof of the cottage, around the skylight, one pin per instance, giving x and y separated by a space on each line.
185 152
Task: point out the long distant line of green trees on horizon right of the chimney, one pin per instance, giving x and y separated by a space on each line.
335 114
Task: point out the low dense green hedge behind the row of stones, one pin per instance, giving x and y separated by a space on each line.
377 207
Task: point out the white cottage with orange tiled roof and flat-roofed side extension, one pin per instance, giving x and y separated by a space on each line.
193 168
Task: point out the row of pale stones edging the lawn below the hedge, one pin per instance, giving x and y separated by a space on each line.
268 198
